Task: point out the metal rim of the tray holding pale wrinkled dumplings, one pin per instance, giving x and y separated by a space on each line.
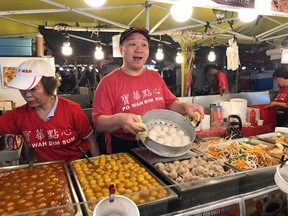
182 187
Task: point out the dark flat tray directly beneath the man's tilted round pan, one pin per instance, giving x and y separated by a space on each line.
152 158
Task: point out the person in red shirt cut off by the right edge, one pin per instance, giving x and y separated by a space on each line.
280 101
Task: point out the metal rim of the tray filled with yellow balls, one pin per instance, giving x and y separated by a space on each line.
171 194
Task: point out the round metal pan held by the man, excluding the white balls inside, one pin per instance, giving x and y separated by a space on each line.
162 117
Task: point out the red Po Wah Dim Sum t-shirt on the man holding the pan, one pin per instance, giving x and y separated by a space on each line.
119 92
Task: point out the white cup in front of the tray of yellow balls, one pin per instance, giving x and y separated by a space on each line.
121 206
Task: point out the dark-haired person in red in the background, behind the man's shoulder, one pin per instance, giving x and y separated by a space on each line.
221 83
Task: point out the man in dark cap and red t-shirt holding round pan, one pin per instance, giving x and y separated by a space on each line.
132 90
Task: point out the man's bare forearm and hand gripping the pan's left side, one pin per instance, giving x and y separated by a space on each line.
119 121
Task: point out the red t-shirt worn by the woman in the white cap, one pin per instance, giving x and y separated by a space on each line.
55 139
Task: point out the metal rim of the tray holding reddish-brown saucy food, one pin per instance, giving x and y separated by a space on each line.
71 188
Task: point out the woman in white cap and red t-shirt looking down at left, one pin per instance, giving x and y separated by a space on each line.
51 125
